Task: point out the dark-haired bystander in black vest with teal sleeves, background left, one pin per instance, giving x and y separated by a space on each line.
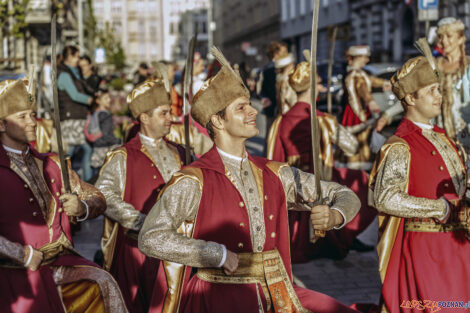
74 106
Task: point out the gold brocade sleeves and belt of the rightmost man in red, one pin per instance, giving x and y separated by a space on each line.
389 181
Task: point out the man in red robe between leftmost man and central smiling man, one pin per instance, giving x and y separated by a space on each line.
131 179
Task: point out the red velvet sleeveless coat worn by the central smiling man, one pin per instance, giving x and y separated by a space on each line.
219 219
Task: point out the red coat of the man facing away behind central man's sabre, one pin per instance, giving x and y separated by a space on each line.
293 140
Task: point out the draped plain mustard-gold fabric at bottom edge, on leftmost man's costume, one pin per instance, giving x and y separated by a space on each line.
82 297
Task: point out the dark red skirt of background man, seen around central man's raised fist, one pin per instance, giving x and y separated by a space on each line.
337 242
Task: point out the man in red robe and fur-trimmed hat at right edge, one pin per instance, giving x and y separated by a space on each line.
419 183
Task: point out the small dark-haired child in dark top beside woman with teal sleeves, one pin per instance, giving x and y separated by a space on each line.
108 141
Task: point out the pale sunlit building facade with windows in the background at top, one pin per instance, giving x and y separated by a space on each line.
148 29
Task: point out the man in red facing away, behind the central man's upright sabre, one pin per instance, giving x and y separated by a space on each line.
291 142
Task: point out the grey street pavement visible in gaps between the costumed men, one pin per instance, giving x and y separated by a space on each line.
354 279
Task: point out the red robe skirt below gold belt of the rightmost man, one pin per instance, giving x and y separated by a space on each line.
434 266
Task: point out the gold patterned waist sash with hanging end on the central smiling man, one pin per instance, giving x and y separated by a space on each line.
268 270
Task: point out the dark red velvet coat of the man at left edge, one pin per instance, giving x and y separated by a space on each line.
21 221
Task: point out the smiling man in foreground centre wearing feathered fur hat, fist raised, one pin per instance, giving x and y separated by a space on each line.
225 217
